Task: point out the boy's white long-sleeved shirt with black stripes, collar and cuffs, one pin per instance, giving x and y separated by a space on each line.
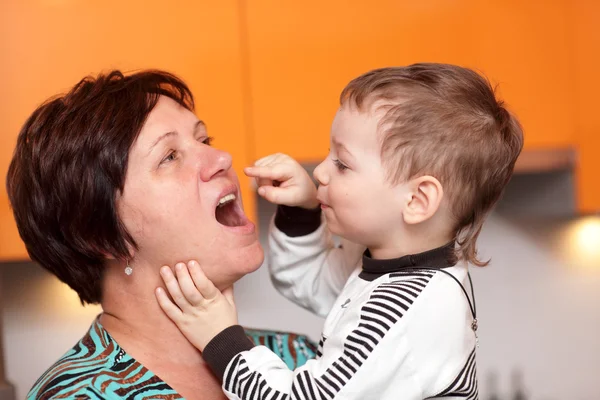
395 329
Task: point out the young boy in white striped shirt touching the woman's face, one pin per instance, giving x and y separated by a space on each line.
419 155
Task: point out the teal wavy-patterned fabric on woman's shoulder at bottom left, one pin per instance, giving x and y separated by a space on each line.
96 367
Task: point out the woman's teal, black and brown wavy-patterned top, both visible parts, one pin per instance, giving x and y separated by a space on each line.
98 368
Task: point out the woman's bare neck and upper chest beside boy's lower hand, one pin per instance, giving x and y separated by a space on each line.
136 322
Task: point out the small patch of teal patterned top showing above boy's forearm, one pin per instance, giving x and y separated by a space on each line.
294 349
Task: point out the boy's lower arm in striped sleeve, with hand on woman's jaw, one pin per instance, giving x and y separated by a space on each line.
367 356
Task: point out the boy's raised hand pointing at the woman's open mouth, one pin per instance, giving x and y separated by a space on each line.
282 180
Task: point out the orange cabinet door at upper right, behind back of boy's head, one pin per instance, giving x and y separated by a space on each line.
526 47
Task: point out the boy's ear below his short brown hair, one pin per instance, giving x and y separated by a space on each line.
426 195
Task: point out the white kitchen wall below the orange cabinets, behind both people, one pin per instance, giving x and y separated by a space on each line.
538 307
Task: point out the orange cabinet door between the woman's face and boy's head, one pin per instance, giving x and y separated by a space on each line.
302 54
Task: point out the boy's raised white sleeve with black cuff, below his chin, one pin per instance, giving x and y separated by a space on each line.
305 265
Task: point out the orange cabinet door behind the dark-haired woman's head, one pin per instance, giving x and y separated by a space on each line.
48 45
